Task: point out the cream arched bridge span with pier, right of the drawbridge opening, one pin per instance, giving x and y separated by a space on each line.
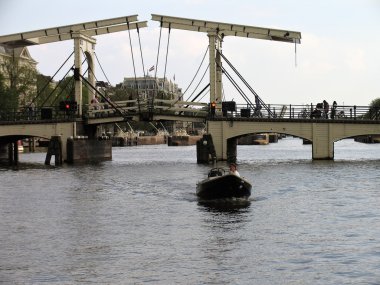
321 134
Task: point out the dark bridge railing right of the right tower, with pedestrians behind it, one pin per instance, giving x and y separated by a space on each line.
308 111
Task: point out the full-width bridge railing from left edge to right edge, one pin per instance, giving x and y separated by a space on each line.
183 108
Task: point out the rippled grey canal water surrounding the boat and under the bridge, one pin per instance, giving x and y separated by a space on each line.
136 219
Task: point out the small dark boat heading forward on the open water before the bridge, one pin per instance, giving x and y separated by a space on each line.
219 185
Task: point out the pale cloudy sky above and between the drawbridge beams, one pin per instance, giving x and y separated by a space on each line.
338 58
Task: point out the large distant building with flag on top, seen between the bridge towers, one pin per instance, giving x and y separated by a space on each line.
147 86
